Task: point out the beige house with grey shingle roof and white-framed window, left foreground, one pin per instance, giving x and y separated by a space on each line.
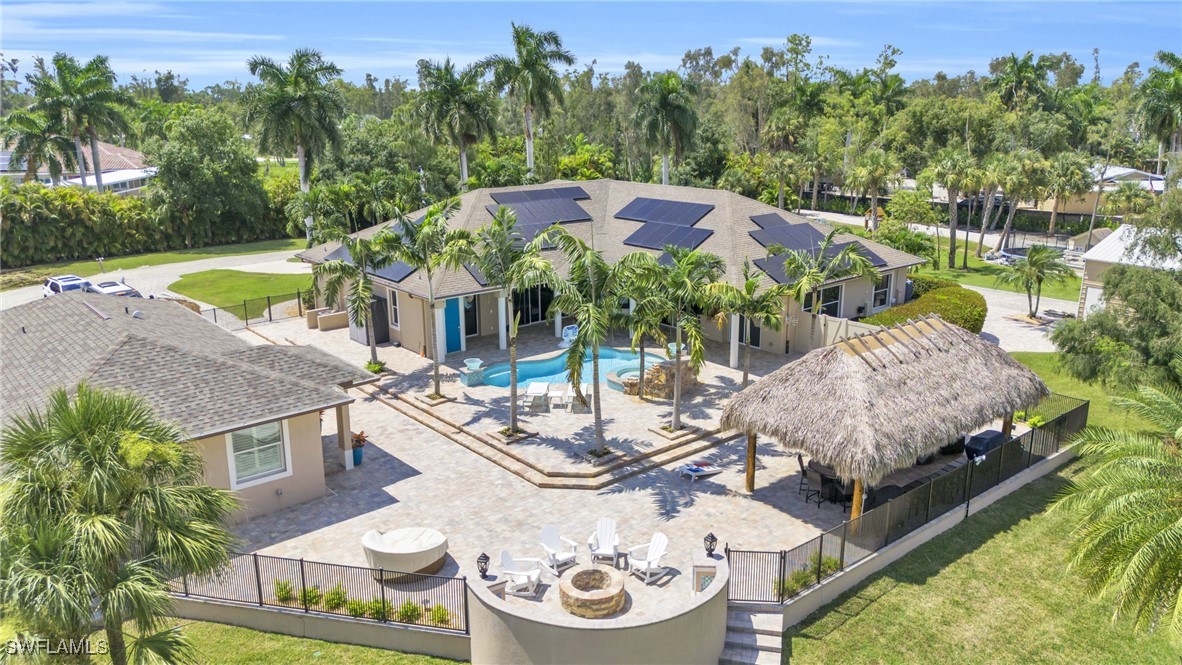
251 412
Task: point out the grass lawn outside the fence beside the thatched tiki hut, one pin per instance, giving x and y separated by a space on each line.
992 590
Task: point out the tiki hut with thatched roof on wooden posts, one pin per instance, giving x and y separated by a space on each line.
875 403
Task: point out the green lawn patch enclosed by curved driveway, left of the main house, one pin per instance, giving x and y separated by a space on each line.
229 289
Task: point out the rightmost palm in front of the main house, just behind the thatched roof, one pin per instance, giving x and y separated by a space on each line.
810 270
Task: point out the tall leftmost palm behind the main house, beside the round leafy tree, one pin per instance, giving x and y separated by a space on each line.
296 107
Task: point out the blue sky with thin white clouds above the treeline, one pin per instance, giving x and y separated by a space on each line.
211 42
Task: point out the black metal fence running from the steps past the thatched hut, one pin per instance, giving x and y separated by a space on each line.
776 577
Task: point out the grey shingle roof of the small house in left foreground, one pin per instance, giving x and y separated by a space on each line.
189 369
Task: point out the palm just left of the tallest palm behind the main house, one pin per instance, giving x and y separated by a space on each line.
456 108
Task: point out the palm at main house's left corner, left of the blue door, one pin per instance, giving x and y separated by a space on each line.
366 256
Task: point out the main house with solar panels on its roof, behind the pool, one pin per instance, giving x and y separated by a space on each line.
620 218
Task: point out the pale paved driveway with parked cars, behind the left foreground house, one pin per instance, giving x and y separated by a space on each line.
155 279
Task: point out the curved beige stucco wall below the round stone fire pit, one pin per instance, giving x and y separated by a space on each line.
693 634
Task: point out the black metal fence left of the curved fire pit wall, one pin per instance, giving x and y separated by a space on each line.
374 595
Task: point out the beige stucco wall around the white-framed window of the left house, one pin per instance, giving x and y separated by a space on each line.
306 483
